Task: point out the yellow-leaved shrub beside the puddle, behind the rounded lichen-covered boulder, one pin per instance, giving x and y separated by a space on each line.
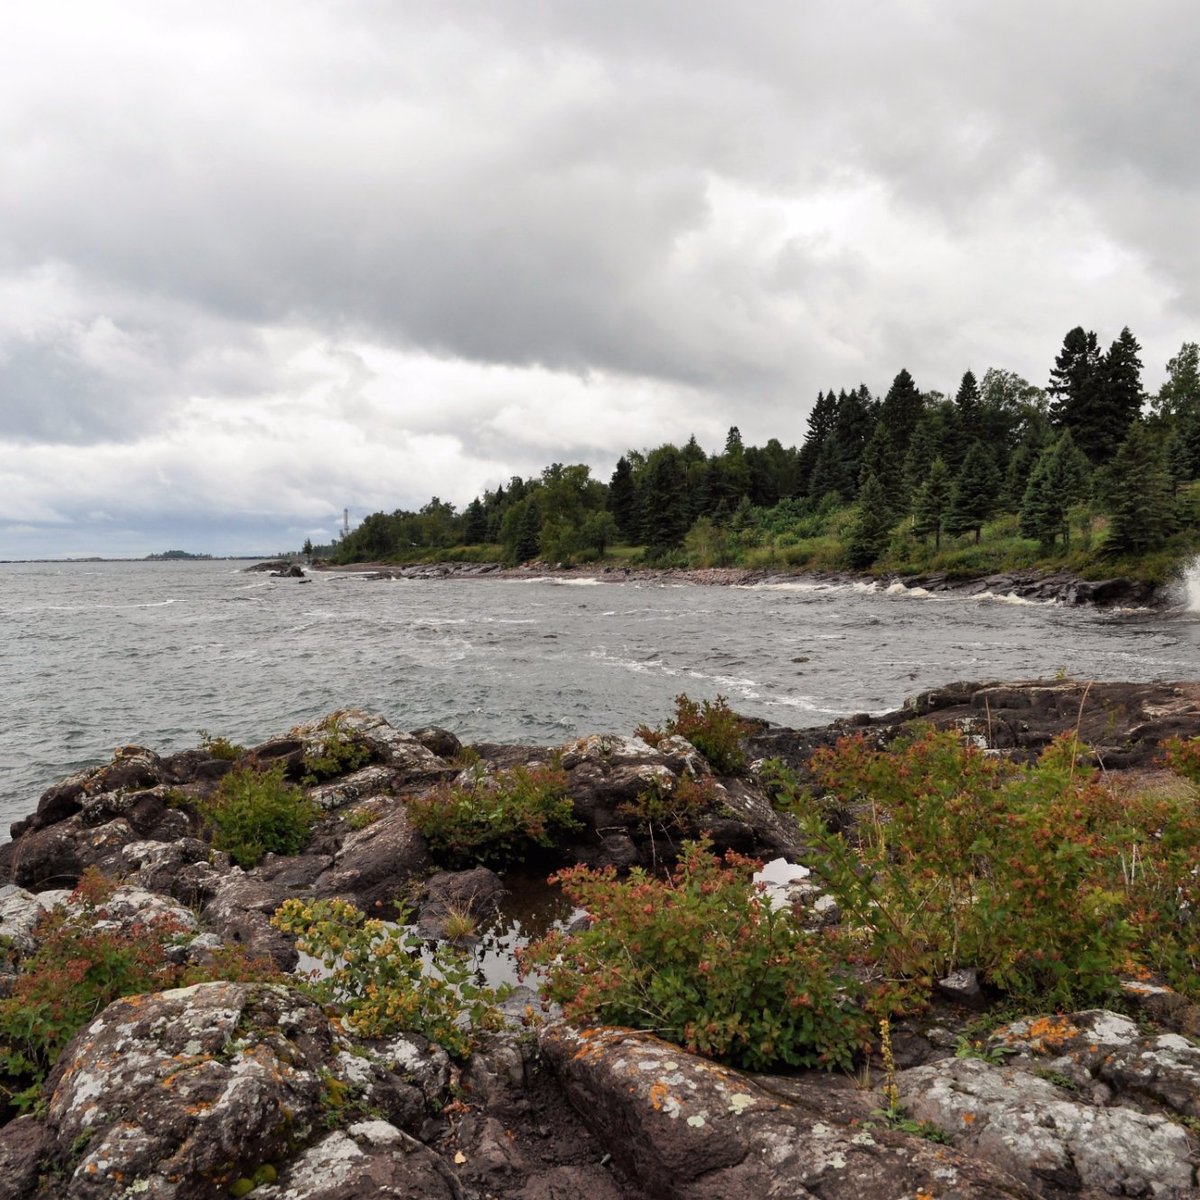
379 979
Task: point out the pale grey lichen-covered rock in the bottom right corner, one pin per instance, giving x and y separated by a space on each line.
1042 1135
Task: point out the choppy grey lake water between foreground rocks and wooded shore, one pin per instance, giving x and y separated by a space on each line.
98 655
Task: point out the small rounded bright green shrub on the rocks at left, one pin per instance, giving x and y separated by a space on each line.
255 813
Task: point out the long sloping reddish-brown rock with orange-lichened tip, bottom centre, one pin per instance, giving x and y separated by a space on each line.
688 1129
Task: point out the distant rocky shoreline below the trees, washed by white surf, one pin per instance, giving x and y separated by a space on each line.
1047 587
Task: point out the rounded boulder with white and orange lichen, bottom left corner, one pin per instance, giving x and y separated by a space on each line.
182 1094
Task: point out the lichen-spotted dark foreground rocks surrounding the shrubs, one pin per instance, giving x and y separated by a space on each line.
232 1088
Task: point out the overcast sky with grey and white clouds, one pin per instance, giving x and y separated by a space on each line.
265 260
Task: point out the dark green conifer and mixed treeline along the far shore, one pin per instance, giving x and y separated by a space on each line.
877 481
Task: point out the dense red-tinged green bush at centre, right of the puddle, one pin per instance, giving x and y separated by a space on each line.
703 959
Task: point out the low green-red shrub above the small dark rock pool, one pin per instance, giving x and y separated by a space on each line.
495 819
